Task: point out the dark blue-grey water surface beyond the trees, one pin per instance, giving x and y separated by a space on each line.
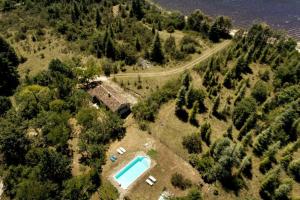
280 14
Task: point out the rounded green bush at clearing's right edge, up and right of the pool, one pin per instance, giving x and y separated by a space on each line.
192 143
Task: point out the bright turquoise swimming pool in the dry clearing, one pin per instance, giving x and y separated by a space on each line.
134 169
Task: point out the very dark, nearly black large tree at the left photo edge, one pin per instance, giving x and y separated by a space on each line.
9 78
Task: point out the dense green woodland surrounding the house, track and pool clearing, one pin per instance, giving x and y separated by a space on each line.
40 114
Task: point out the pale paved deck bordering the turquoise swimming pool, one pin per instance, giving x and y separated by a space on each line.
121 165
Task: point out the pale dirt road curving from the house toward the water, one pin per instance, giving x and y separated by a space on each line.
206 54
